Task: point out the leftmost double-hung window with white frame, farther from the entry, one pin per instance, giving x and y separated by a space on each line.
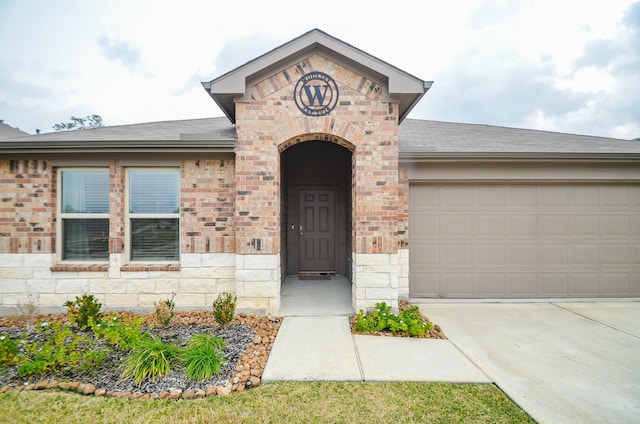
84 215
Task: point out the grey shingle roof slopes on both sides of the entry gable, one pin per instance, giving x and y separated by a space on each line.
416 136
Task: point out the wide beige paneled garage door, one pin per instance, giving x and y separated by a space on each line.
524 240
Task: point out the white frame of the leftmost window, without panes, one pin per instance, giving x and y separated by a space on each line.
62 216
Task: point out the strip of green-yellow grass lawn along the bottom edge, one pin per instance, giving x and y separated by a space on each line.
283 402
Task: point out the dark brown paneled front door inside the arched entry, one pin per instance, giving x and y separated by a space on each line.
316 230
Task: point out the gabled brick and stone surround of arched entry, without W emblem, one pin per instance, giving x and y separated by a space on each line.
269 123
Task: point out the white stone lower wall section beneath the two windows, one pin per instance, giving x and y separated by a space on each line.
27 278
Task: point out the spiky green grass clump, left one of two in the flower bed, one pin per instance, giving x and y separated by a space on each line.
149 360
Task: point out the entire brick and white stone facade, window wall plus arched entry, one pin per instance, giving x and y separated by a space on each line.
231 210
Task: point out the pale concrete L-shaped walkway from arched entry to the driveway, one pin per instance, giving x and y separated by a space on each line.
323 348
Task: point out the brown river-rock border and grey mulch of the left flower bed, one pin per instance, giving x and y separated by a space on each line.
249 339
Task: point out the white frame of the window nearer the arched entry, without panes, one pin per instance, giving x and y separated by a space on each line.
128 215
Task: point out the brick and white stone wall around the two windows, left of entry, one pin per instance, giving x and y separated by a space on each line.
30 272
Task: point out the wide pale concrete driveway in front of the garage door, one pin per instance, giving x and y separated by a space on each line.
561 362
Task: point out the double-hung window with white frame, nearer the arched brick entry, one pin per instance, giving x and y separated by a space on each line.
154 214
